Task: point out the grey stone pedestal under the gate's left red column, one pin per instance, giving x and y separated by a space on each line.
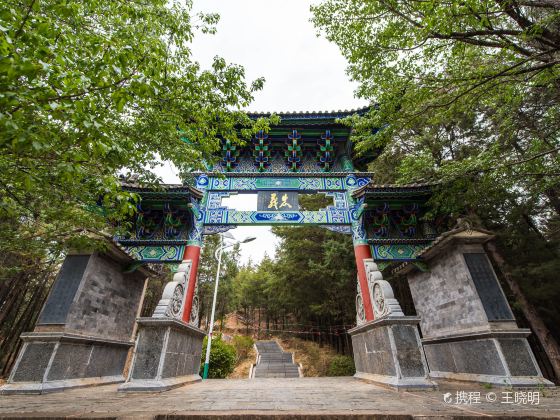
167 355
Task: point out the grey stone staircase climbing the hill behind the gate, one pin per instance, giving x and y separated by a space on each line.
273 362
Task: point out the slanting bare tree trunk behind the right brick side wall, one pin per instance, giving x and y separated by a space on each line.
550 345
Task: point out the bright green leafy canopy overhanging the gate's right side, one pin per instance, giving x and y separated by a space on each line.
462 88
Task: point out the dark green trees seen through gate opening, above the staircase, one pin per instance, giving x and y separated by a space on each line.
311 282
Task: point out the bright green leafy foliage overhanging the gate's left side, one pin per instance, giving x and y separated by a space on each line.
92 89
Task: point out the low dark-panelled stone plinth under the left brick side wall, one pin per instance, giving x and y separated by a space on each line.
50 362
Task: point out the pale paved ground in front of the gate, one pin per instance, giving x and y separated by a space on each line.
308 398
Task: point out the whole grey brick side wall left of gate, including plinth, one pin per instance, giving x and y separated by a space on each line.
84 332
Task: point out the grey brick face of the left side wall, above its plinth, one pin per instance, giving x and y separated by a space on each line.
107 301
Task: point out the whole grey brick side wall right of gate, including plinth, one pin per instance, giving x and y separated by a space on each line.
469 332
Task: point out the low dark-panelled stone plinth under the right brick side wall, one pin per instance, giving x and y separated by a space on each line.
501 358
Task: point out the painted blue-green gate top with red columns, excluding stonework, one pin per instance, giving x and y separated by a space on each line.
306 153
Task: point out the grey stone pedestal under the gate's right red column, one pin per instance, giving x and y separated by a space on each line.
388 352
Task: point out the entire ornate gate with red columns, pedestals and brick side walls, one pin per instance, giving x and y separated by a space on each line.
468 328
